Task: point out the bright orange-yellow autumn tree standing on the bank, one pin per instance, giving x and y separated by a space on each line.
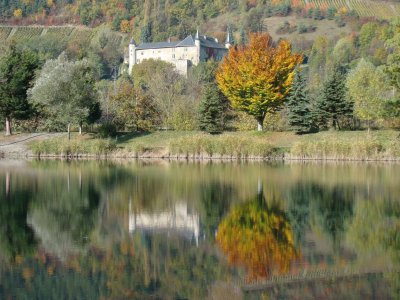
257 77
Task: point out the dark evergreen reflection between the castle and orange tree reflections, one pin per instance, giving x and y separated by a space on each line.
216 198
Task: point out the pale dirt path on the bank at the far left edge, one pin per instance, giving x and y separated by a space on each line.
17 145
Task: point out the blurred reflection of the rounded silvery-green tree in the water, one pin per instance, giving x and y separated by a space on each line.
63 217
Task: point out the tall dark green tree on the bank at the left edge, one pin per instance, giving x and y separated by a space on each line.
17 70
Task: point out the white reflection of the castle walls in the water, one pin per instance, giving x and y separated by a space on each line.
178 220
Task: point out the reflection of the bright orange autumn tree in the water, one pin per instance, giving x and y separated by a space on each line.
258 238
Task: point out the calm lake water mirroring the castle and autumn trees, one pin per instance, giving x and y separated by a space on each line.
113 230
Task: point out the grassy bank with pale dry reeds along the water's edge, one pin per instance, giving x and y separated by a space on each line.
330 145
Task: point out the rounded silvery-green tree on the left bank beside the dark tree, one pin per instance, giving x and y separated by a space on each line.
65 91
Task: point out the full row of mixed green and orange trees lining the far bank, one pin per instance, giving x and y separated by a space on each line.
348 84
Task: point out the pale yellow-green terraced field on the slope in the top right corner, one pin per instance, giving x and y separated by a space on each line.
364 8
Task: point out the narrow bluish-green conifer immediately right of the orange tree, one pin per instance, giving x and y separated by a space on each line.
300 112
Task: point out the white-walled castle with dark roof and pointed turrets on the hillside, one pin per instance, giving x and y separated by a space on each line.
182 54
